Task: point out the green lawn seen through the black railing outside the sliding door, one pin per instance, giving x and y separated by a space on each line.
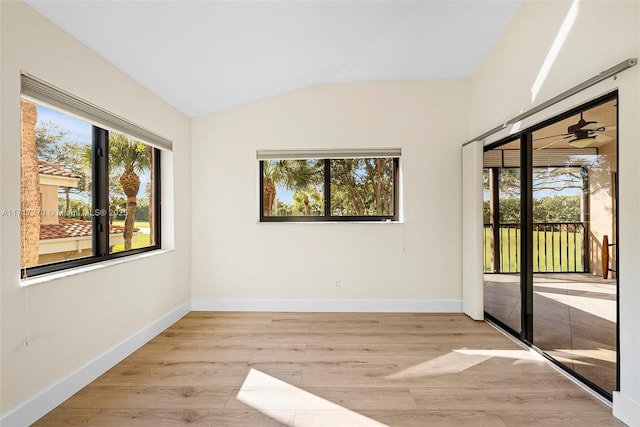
555 258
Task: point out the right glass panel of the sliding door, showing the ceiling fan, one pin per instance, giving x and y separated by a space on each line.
574 165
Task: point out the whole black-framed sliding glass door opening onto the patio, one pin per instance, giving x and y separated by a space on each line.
550 240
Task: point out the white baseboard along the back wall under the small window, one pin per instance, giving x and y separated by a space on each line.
329 305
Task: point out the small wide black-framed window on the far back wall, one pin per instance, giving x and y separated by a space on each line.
316 188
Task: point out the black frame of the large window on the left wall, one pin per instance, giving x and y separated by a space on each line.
100 197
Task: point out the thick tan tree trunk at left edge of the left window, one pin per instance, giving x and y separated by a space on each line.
29 188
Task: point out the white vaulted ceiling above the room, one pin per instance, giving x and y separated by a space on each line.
206 56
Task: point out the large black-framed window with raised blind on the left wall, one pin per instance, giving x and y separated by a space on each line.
88 192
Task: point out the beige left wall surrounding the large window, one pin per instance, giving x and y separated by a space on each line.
72 320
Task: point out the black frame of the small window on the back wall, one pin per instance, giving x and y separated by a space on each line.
328 217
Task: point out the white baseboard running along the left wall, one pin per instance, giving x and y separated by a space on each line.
32 409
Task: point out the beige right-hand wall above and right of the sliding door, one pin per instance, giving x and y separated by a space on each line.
603 34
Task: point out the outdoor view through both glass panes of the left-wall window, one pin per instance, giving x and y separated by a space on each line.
56 188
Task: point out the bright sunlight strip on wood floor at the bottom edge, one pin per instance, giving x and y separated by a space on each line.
271 396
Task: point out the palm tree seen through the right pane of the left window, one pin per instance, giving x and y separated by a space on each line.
131 157
